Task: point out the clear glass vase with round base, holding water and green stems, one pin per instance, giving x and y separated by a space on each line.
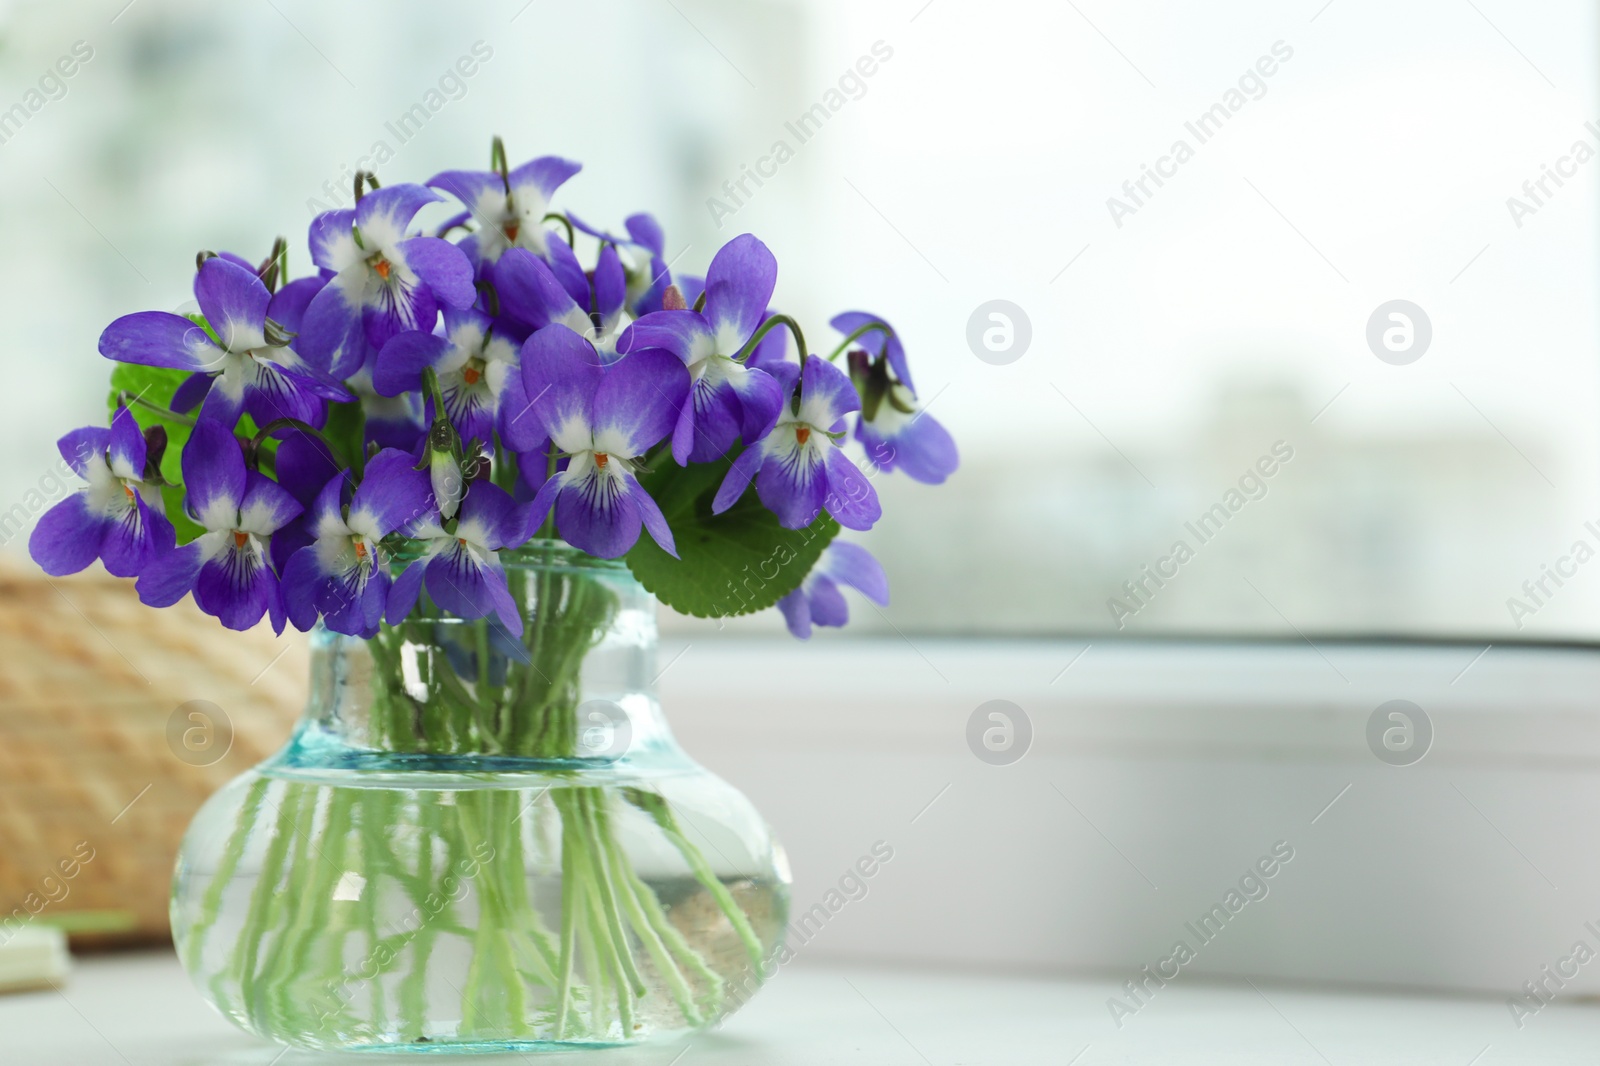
484 843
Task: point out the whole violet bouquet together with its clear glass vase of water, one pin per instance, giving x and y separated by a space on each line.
423 451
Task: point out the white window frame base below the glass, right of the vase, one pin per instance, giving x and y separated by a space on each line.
1159 774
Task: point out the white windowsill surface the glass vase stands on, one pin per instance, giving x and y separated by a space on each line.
142 1009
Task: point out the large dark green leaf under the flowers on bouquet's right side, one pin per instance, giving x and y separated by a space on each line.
737 563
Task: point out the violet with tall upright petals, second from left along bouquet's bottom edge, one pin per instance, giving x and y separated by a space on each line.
226 567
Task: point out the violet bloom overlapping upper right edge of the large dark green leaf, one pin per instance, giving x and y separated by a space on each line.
799 470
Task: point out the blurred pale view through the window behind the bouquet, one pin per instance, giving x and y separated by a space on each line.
1172 342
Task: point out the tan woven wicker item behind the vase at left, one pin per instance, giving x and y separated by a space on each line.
90 753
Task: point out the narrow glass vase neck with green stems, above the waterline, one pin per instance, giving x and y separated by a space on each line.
574 687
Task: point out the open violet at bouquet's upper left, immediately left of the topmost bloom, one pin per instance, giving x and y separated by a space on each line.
383 281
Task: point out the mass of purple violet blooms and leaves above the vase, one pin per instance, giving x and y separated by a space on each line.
343 447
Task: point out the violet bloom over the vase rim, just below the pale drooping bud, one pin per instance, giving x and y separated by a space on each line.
463 569
